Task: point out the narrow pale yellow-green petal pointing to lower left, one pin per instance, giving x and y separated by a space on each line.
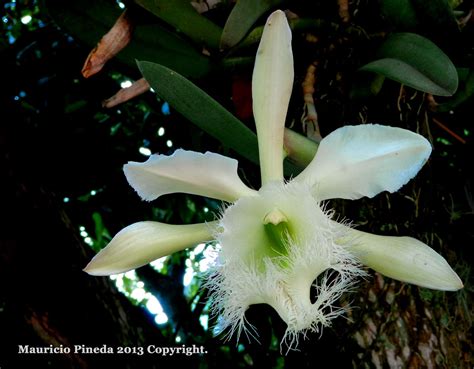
143 242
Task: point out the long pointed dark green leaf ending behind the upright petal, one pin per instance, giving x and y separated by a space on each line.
201 109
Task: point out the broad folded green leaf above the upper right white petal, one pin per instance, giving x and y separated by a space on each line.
417 62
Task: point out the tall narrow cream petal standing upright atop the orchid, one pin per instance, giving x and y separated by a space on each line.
272 83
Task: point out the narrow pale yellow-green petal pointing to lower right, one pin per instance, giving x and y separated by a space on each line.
405 259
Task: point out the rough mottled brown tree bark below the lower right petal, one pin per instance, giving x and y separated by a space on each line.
401 326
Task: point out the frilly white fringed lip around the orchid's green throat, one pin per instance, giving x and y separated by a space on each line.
248 273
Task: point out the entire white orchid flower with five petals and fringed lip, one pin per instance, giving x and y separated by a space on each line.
278 245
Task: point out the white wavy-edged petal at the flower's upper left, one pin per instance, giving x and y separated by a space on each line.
208 174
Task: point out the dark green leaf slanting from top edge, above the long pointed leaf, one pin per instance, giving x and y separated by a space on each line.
182 16
